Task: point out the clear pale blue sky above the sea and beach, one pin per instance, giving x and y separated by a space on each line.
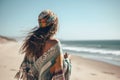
78 19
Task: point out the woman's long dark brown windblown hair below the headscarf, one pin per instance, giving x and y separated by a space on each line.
35 41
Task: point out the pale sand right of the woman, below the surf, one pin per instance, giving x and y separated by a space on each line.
94 70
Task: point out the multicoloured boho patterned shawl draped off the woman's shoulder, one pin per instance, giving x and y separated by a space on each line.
50 66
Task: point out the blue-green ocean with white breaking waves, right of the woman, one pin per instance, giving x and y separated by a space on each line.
102 50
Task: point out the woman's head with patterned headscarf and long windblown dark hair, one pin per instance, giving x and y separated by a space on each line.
35 41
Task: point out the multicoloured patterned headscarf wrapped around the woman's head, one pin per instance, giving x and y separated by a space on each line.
48 19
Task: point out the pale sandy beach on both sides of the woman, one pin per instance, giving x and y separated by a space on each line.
82 69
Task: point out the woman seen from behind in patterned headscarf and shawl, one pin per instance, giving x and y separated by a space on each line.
43 54
